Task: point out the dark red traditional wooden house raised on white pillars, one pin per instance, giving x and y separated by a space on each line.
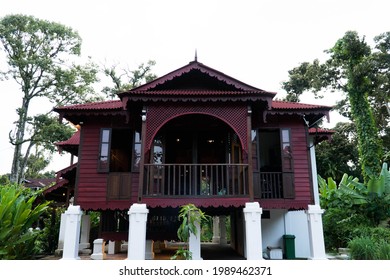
197 135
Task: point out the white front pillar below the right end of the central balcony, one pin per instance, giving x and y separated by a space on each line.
254 248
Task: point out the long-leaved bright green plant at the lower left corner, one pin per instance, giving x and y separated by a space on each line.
18 213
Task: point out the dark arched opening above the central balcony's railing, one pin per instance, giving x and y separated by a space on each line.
196 139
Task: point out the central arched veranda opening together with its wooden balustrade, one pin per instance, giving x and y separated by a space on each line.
195 155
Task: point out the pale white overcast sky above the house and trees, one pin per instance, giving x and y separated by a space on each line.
254 41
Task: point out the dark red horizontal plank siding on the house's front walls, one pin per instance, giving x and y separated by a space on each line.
92 186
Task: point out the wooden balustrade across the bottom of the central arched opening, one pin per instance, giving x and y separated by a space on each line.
196 180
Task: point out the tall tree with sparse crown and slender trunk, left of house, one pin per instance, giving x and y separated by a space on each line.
38 54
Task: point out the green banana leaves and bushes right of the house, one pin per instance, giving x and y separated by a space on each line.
355 210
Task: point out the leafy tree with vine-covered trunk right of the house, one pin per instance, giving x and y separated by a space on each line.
363 75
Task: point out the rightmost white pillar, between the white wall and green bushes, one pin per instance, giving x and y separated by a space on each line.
316 233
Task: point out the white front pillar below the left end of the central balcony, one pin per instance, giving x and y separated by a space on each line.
138 214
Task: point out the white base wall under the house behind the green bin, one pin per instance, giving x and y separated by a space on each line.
283 222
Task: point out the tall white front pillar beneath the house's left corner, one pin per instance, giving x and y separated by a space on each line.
72 233
